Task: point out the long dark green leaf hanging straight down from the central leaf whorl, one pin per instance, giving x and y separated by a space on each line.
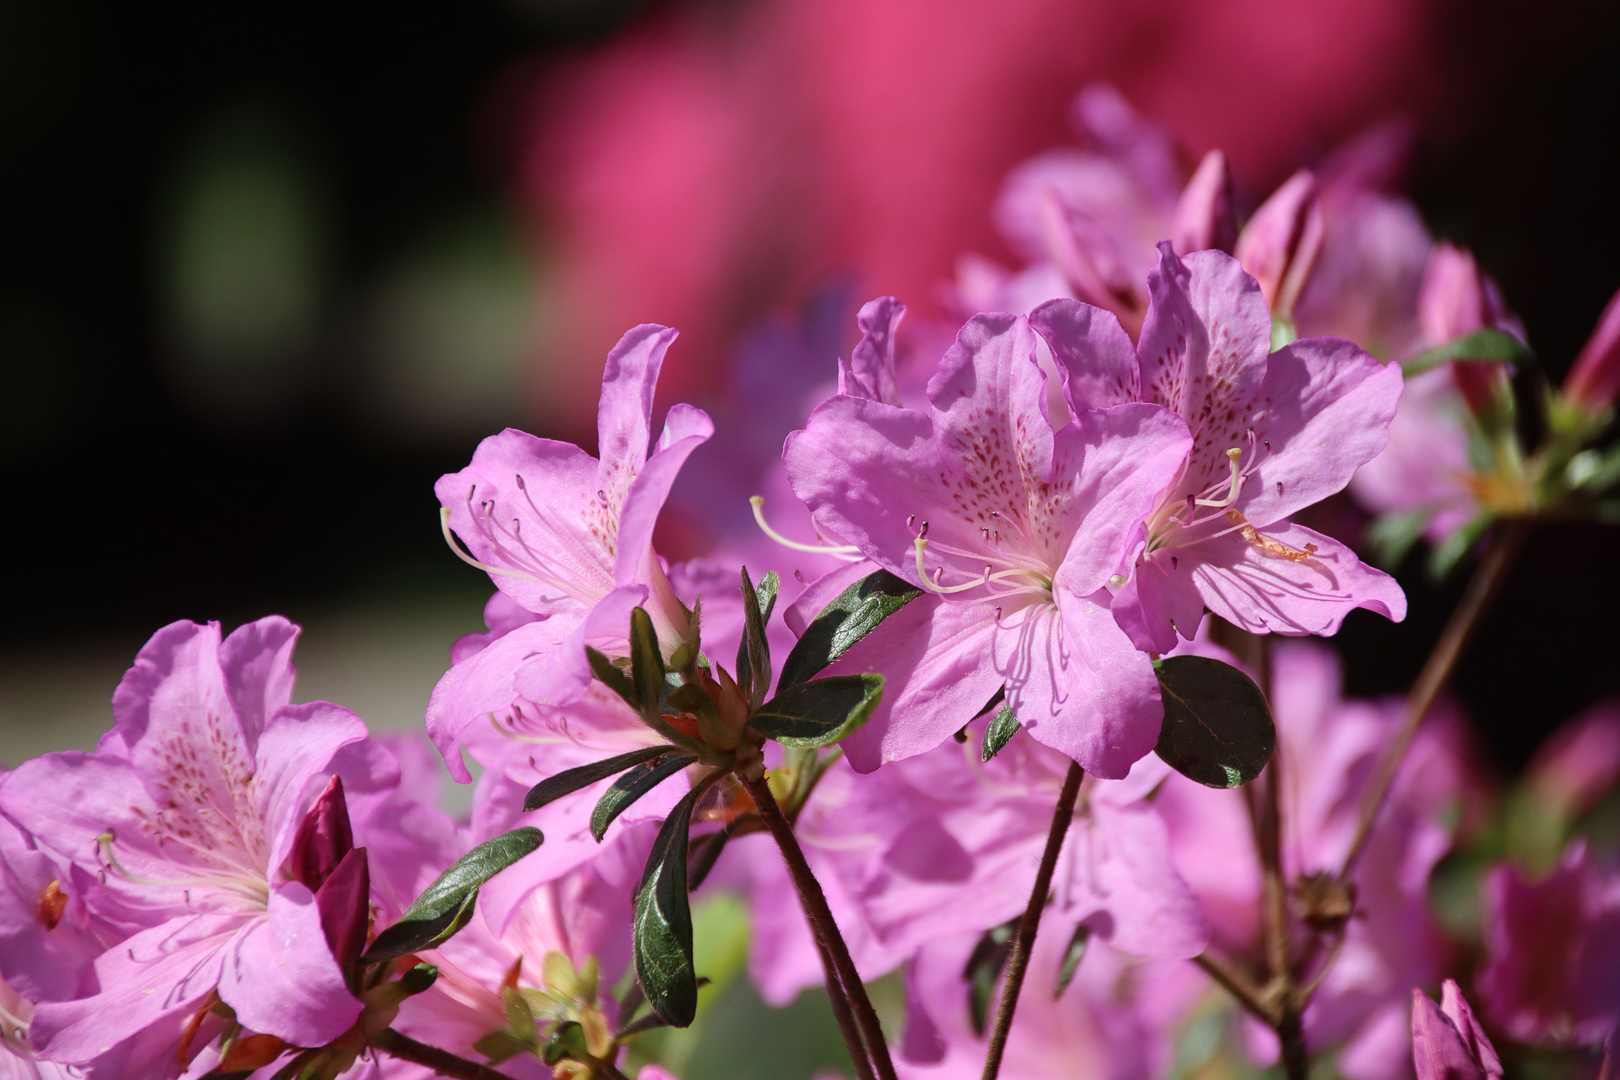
663 922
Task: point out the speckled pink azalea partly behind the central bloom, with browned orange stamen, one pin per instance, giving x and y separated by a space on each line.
1274 433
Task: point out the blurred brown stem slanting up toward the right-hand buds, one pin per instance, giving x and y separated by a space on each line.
1436 671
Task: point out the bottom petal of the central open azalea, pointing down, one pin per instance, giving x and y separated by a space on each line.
1091 694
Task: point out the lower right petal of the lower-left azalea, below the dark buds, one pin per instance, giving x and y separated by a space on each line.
281 979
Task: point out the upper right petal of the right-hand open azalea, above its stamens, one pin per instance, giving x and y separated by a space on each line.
1328 410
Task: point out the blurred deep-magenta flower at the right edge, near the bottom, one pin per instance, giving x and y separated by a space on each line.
1553 951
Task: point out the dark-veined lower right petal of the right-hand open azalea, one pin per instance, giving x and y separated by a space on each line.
1266 593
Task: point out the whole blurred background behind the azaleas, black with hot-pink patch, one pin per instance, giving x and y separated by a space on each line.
268 271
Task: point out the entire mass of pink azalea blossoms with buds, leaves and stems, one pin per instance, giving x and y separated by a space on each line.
1047 571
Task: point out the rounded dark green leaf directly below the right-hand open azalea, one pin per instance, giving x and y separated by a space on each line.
1217 725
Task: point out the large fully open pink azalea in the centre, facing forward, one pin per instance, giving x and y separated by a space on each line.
1023 521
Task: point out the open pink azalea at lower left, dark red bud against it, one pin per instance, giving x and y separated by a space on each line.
197 817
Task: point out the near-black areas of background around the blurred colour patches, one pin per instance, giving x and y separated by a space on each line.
134 504
